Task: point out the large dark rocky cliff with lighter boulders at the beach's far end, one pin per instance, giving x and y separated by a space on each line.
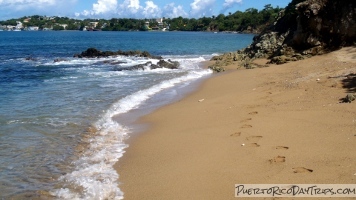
303 29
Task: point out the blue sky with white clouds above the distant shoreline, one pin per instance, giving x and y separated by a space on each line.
140 9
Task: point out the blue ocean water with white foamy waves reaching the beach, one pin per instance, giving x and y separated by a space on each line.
60 128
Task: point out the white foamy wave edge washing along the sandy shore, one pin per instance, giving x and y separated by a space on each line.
94 172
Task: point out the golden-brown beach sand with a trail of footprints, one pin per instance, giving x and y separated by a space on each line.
281 125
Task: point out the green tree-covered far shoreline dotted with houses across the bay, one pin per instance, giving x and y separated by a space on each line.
251 20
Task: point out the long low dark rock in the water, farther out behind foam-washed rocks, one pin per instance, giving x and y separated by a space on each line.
94 53
